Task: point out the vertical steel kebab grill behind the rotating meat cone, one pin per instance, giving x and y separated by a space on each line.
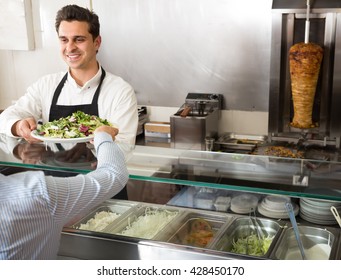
289 20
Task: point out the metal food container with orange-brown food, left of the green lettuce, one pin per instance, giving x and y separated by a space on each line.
195 228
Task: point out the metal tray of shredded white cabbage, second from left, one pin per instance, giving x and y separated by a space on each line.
140 212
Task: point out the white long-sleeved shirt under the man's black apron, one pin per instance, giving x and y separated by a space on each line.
117 102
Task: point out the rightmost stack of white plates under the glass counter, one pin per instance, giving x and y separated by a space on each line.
318 211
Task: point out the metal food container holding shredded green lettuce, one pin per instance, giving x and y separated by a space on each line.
242 228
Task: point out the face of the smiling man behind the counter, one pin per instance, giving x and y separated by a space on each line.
77 46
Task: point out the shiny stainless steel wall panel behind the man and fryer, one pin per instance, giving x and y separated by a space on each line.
167 48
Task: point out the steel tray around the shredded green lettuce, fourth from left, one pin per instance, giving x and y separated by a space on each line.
241 228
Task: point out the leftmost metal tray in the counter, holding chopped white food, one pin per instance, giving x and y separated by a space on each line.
114 206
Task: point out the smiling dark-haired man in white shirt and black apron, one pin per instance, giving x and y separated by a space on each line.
85 87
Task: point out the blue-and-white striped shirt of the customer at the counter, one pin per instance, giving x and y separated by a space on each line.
34 207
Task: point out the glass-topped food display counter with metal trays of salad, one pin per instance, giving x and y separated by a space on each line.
203 185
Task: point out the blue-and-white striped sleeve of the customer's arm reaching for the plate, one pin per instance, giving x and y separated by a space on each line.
72 196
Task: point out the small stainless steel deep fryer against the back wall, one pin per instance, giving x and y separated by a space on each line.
196 120
